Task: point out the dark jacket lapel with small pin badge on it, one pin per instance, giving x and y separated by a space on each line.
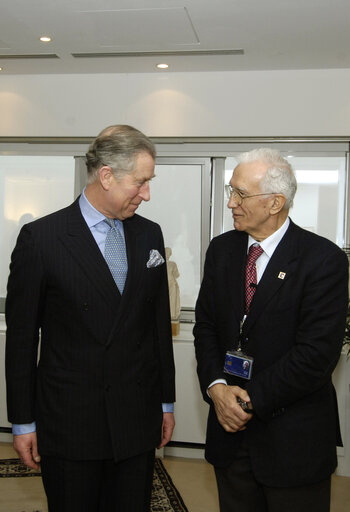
279 270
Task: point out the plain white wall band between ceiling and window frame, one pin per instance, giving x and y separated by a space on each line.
250 103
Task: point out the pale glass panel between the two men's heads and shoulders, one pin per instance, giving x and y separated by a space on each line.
176 204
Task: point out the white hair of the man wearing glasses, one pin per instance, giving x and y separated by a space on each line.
279 177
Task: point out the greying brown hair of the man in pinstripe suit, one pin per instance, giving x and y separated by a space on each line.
117 146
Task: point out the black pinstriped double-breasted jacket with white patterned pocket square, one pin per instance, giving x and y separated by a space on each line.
106 362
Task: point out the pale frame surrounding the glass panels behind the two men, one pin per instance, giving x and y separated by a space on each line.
210 152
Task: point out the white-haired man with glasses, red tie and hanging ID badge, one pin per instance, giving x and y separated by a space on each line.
270 320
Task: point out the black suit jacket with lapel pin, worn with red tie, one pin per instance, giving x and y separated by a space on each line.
294 331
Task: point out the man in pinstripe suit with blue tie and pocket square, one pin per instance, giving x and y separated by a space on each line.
92 278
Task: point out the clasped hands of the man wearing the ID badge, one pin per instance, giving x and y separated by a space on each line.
229 413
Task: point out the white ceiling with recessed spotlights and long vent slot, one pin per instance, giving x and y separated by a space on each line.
132 36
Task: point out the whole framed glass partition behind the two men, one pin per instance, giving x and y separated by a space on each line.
187 195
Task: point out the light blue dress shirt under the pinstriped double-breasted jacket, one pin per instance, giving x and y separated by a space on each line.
95 221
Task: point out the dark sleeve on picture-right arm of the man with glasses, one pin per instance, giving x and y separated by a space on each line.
309 364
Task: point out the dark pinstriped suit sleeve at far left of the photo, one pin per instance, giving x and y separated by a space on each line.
23 303
